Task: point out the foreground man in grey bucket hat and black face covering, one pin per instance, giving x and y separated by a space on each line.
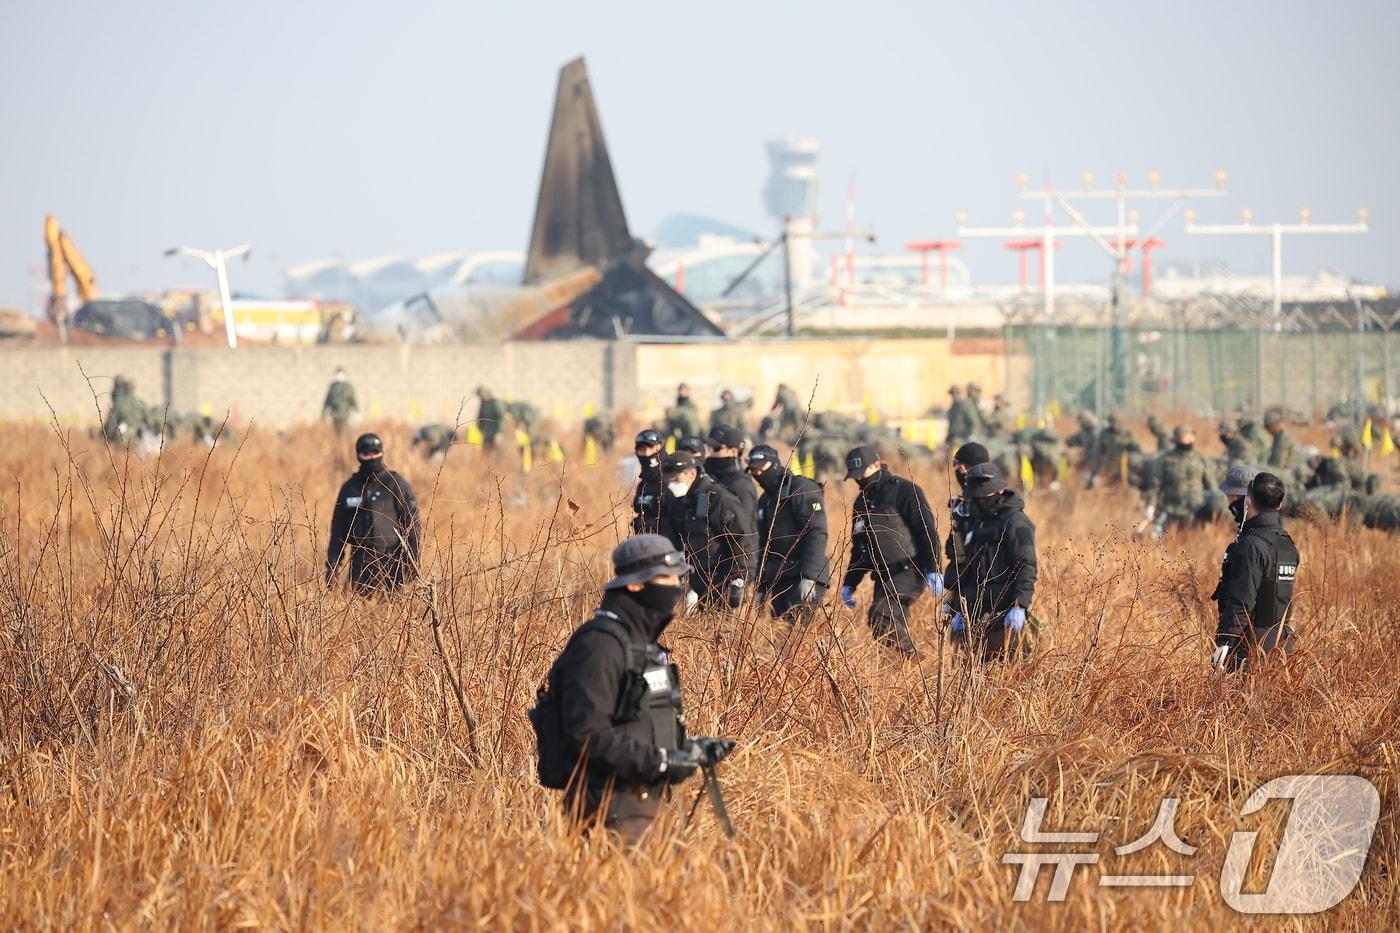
610 724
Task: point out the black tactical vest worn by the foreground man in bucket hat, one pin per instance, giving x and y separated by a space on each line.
649 704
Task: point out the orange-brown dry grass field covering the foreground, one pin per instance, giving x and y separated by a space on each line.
195 733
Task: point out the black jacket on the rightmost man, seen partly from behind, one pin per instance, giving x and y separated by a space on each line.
1256 579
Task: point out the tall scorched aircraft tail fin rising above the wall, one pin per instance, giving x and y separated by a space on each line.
579 218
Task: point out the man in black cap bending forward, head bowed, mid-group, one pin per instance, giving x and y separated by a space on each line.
894 539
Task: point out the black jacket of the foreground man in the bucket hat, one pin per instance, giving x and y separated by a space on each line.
591 679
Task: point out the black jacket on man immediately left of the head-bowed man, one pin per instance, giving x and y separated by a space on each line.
793 532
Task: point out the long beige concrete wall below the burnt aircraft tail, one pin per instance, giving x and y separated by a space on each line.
285 386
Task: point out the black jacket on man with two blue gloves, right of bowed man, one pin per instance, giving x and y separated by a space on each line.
999 567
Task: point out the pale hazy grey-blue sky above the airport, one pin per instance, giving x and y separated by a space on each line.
360 130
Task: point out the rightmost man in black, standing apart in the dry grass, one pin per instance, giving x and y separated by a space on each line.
1258 575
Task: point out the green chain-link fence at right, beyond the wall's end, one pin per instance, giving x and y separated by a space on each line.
1212 358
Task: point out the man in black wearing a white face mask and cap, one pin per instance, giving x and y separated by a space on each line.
708 523
